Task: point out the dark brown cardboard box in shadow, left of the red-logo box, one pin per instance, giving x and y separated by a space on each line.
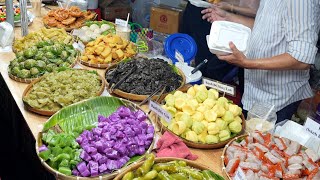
117 9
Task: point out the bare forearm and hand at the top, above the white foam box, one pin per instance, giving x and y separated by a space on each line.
216 14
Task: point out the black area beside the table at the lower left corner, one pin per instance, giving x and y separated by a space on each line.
18 159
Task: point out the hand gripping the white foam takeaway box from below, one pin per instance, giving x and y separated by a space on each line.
236 58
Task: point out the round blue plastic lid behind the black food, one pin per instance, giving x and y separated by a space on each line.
182 43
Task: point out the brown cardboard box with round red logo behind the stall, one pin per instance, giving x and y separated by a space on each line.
165 20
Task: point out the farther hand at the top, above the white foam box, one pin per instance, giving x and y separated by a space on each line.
214 14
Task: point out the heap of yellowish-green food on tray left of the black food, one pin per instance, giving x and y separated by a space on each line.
60 89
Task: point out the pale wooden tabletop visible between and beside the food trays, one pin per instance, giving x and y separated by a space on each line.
210 158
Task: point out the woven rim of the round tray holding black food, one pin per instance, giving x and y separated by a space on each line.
136 97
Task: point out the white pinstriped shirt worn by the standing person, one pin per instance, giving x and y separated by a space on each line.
282 26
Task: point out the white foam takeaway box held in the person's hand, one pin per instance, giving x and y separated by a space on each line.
223 32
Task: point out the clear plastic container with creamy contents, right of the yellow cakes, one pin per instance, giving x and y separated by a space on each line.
261 117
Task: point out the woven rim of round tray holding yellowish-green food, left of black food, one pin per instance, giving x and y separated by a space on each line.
46 112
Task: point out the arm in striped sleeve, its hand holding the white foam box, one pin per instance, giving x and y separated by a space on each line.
301 36
